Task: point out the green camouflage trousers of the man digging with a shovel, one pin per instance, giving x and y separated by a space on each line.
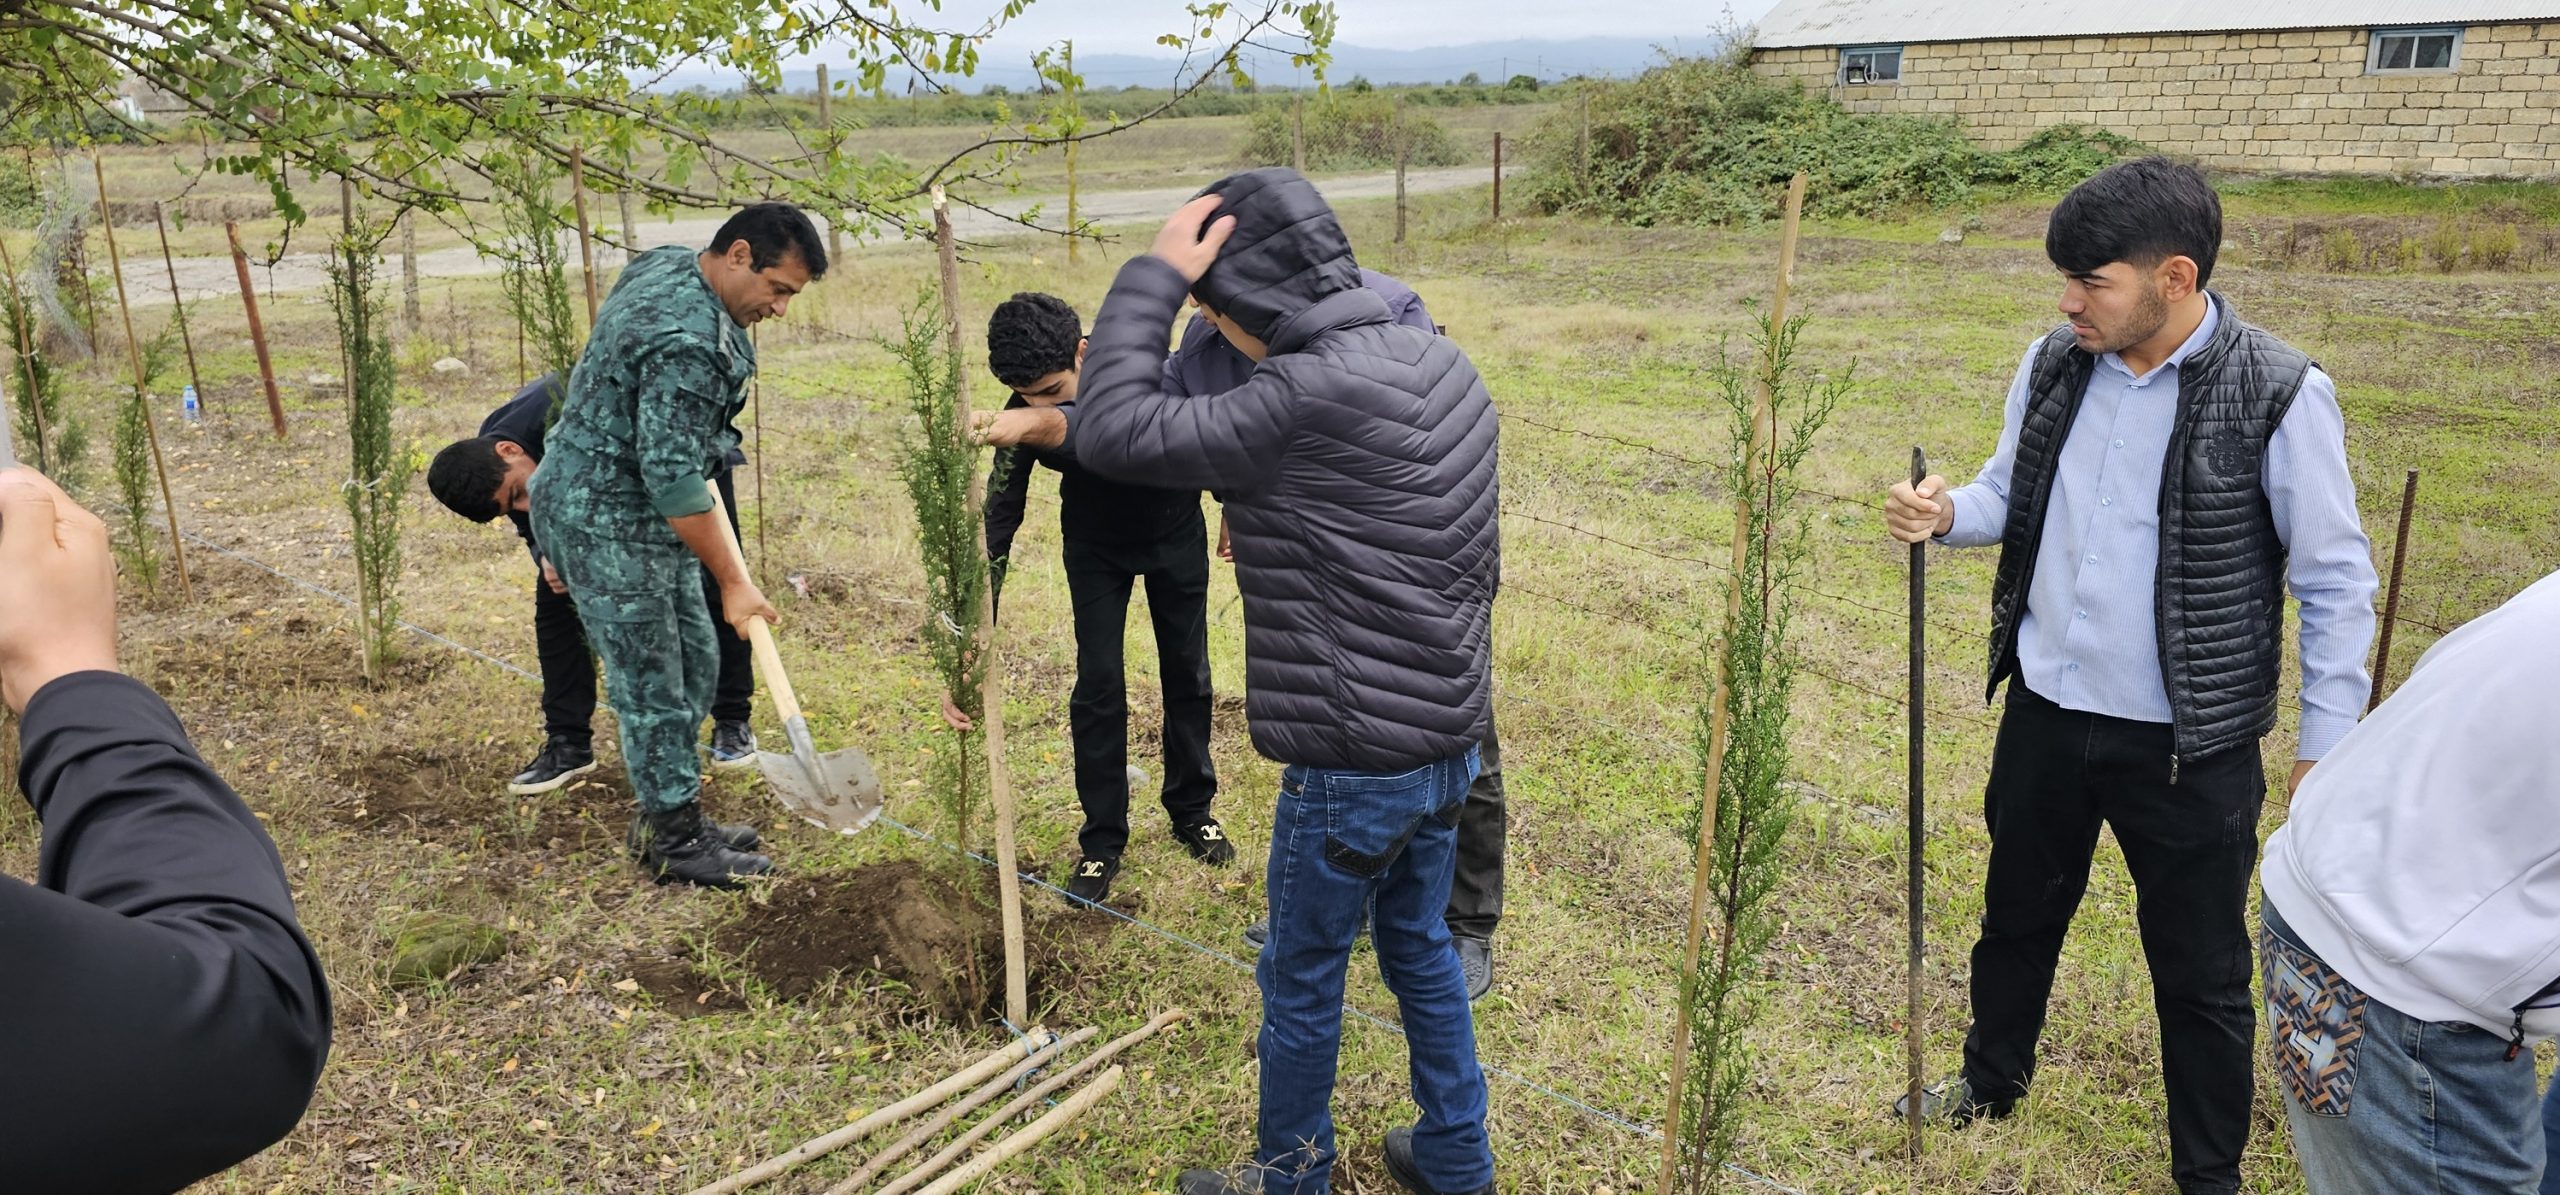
652 628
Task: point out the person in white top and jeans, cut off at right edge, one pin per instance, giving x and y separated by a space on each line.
2413 925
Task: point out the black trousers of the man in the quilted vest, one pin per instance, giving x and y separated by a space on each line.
2190 846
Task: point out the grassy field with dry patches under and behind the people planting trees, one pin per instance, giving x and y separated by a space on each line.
634 1040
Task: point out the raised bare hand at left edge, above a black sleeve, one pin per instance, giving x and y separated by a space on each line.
58 587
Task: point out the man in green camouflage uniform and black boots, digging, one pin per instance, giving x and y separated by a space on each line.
623 505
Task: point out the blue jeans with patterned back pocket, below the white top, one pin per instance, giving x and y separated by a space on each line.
2385 1104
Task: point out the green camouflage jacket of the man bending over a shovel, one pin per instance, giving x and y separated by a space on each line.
652 406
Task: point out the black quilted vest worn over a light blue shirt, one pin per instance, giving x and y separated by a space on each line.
2218 595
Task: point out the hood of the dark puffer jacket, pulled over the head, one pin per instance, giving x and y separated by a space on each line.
1286 255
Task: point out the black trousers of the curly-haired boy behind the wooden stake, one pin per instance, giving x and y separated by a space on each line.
1100 582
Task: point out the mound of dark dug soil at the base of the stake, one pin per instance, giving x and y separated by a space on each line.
918 930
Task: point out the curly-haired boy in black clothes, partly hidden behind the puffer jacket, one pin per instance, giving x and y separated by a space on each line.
1112 536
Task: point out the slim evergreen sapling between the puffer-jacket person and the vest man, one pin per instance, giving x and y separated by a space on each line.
1755 807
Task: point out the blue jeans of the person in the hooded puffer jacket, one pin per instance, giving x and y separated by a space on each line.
1343 841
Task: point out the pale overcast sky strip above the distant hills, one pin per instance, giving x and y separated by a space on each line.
1130 27
